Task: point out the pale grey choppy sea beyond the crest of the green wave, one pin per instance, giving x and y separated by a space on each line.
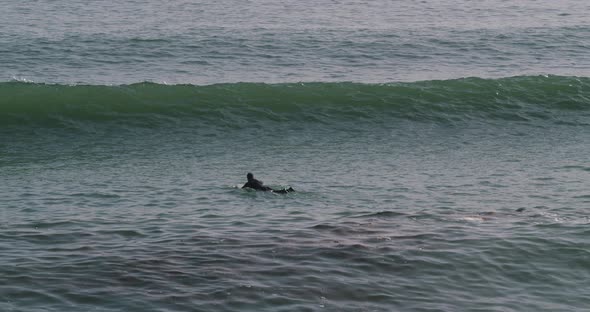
204 42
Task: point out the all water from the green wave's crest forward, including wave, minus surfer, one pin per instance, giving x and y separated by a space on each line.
447 195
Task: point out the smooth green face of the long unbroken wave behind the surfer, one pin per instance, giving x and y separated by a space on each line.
548 99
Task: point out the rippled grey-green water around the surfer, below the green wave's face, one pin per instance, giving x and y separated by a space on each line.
474 218
